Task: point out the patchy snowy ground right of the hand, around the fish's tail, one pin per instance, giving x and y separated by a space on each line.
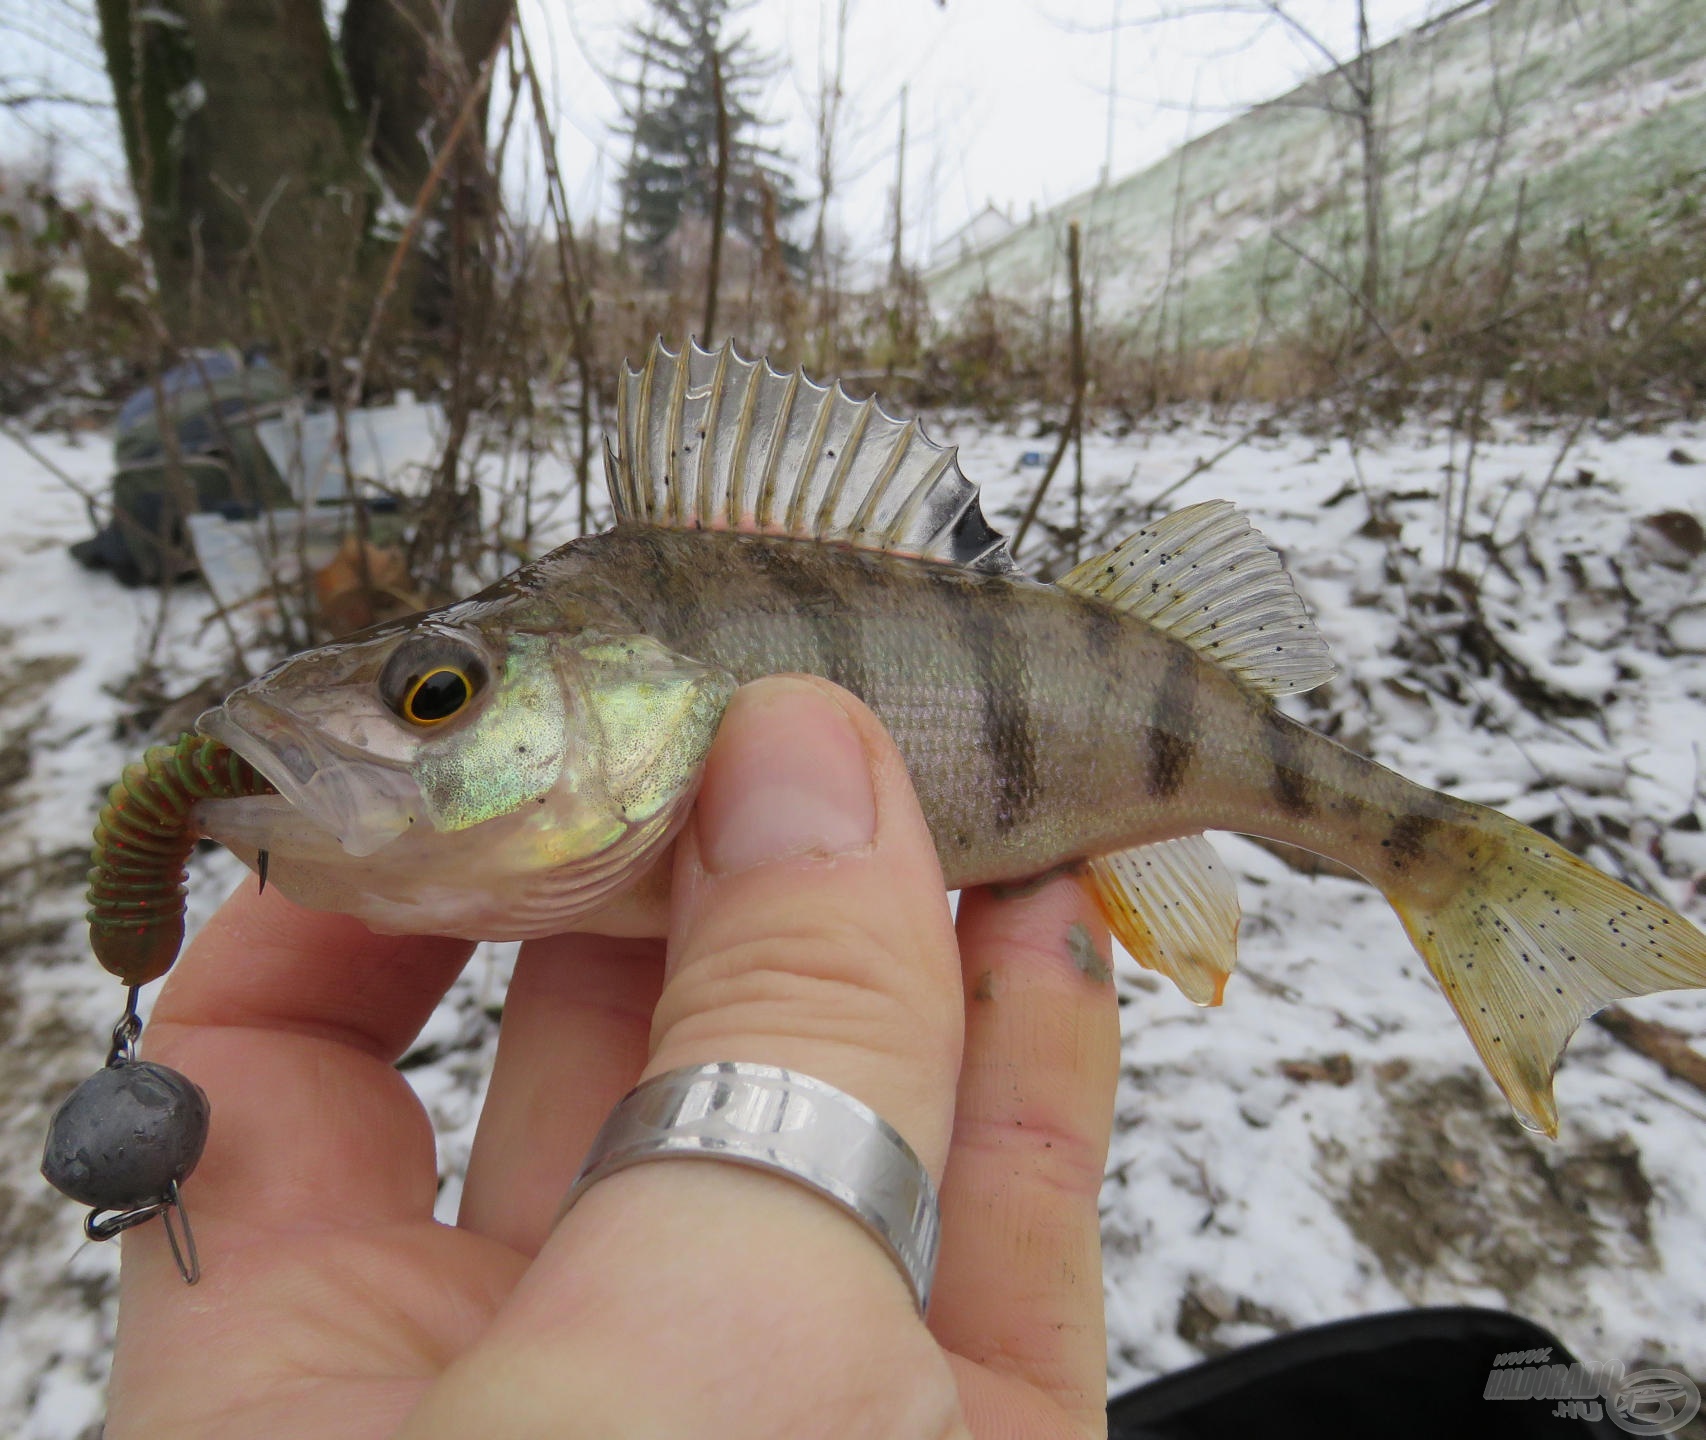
1248 1202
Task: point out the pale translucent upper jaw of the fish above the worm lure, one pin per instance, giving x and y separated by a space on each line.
363 803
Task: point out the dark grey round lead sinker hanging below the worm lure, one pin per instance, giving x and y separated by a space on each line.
127 1135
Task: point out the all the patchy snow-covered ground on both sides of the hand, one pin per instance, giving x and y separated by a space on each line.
1325 1144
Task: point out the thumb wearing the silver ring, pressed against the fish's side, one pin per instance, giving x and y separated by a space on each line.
813 932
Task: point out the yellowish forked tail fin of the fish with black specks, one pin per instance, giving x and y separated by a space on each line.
1536 941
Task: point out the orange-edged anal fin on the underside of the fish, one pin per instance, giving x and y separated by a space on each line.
1175 907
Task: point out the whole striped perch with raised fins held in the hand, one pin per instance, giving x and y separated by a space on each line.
519 764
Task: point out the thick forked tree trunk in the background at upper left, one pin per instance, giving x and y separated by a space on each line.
248 151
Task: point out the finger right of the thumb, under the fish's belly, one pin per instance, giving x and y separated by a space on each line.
1031 1132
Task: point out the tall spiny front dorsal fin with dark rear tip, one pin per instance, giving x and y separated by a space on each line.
712 441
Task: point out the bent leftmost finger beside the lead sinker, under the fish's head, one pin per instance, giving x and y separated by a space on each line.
291 1021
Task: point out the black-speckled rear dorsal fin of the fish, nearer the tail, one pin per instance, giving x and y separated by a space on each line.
1210 579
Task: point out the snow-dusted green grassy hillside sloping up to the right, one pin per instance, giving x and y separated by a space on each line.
1586 112
